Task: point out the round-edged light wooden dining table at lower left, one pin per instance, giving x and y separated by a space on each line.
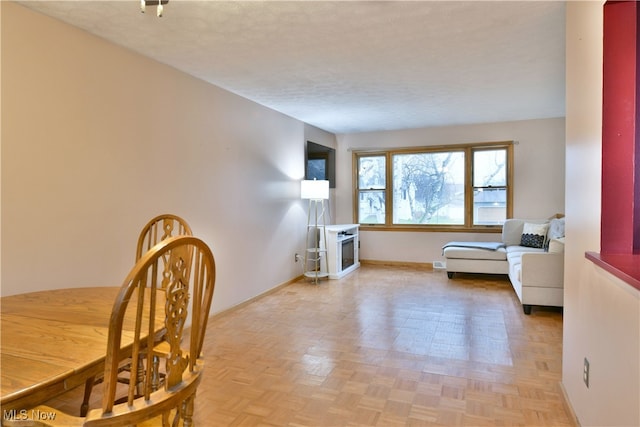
51 342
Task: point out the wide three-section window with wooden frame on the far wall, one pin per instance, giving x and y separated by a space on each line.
434 188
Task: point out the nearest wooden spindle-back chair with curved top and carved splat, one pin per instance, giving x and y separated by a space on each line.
186 296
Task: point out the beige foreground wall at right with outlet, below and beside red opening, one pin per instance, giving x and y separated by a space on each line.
601 313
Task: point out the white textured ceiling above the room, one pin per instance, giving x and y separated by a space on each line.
353 66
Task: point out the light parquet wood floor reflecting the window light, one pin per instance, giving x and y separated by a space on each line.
384 346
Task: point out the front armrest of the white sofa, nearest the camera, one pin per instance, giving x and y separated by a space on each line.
544 270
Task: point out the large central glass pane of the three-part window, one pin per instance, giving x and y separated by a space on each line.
428 188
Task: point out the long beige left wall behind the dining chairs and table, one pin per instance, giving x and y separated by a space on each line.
97 140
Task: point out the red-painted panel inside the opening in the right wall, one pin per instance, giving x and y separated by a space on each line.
620 192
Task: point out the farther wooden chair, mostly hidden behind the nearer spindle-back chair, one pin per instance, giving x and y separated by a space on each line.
156 230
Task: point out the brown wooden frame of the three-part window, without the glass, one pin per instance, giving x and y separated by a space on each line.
468 149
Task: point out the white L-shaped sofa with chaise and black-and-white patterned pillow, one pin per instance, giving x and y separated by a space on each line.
536 273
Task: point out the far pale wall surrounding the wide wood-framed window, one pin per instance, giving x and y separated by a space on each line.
539 158
